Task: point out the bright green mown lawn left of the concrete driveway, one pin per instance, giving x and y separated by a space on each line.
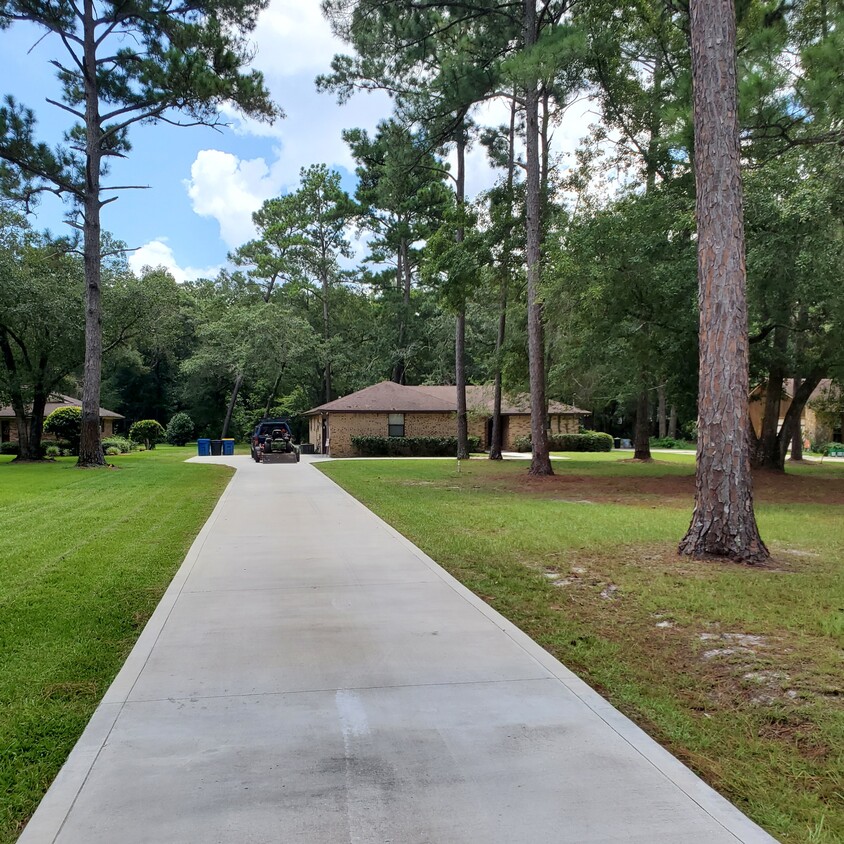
86 555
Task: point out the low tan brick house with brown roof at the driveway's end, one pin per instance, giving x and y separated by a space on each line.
395 410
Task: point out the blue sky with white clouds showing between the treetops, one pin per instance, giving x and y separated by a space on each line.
205 184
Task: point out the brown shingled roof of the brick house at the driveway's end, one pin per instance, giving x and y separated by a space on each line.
389 397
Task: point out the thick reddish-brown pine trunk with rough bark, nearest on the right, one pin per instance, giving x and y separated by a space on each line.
723 523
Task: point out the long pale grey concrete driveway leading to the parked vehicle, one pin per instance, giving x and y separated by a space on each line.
310 676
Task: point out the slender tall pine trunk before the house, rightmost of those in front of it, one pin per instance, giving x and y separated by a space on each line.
541 460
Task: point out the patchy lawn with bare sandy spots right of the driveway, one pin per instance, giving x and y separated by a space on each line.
737 670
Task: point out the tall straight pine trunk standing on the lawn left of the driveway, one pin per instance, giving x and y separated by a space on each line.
90 443
